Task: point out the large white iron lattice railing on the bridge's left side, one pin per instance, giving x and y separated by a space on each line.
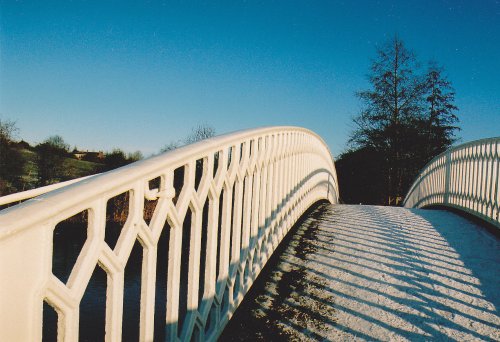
240 195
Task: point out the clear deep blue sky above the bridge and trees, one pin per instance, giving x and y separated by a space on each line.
137 75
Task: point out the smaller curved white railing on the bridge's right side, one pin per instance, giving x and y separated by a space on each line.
466 177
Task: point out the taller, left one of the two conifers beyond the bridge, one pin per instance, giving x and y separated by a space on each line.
392 107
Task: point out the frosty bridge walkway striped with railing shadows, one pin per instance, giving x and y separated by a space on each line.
377 273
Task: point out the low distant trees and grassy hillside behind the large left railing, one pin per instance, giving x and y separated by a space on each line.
49 161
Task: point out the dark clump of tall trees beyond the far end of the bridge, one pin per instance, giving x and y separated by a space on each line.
407 118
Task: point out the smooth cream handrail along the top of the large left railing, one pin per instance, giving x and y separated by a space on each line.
46 206
